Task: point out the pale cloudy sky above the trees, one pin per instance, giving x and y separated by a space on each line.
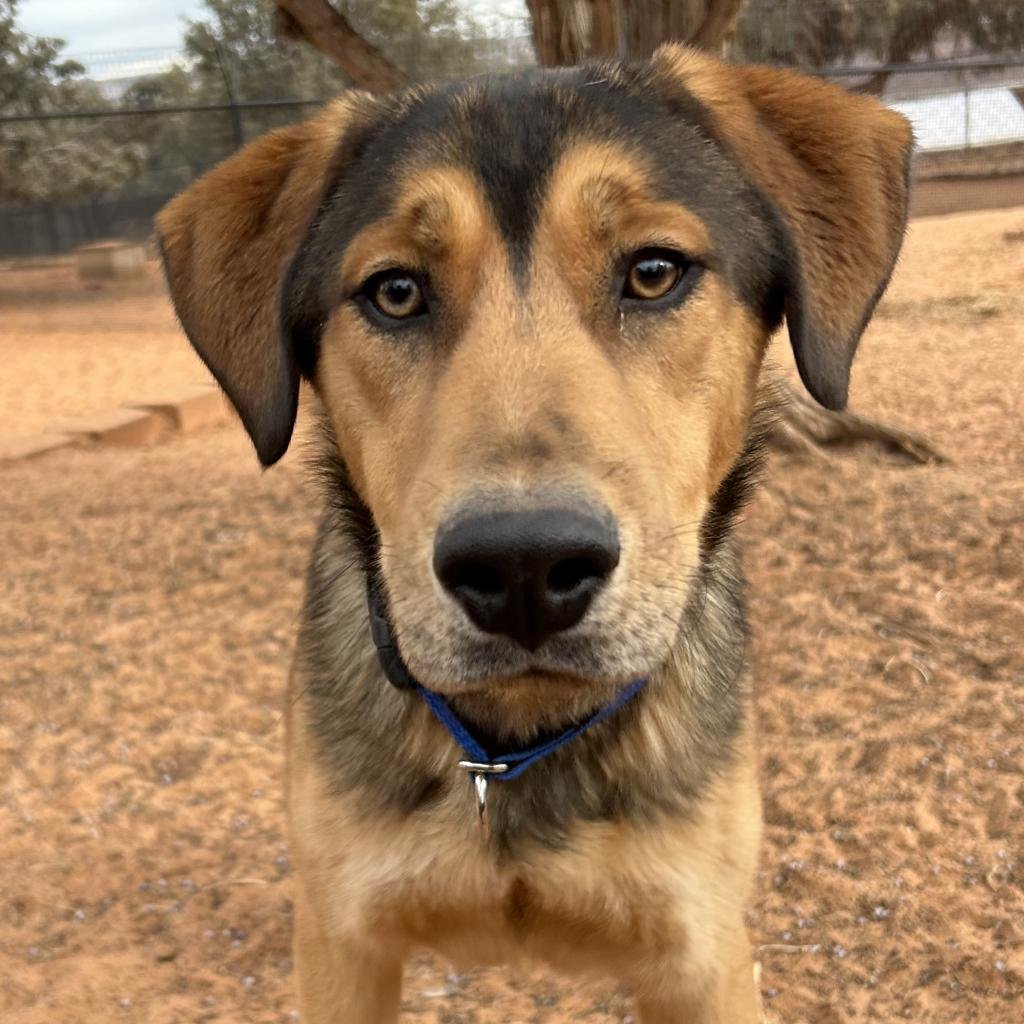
101 26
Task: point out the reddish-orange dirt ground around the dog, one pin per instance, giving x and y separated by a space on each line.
148 606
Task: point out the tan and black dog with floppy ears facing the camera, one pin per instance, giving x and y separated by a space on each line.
535 309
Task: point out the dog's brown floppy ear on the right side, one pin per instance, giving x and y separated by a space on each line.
835 166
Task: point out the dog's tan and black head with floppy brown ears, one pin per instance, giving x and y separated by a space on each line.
535 310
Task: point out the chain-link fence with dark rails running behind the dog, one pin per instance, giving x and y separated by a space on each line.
162 117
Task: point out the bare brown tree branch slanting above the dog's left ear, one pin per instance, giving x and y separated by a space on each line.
317 23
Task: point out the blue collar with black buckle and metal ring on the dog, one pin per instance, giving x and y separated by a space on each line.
480 763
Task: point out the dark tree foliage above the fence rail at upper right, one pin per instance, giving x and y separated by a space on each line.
815 33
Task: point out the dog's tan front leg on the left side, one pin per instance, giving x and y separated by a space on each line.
343 982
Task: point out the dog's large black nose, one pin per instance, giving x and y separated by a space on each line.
527 575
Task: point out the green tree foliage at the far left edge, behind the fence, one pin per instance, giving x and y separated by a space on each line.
60 159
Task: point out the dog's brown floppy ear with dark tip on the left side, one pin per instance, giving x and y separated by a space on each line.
227 243
